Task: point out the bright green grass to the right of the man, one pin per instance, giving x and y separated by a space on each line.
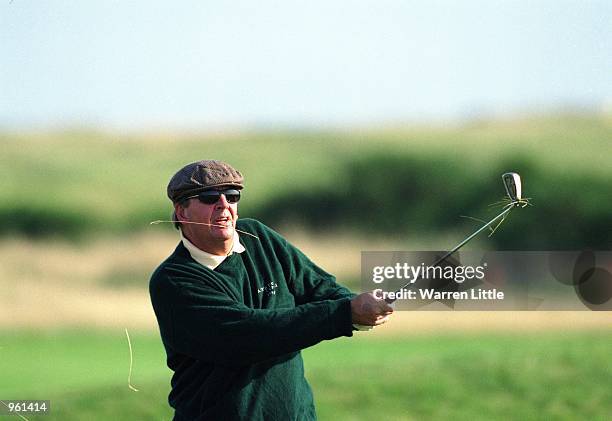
553 376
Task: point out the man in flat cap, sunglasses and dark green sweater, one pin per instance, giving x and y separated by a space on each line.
236 303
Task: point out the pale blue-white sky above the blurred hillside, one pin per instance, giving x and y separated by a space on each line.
143 64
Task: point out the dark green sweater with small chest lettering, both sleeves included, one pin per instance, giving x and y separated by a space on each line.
233 335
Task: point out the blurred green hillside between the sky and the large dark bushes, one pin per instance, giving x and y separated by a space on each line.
68 183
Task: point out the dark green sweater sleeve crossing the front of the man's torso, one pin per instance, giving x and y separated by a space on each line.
208 325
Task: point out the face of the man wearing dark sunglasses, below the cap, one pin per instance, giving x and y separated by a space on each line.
221 215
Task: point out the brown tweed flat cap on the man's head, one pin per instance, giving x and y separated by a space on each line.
200 176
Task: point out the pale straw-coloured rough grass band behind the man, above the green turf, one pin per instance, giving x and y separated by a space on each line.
104 283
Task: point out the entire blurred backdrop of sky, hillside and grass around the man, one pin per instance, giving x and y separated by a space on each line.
358 126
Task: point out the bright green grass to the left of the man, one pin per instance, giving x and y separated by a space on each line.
84 374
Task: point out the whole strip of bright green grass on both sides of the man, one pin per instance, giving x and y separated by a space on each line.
471 376
